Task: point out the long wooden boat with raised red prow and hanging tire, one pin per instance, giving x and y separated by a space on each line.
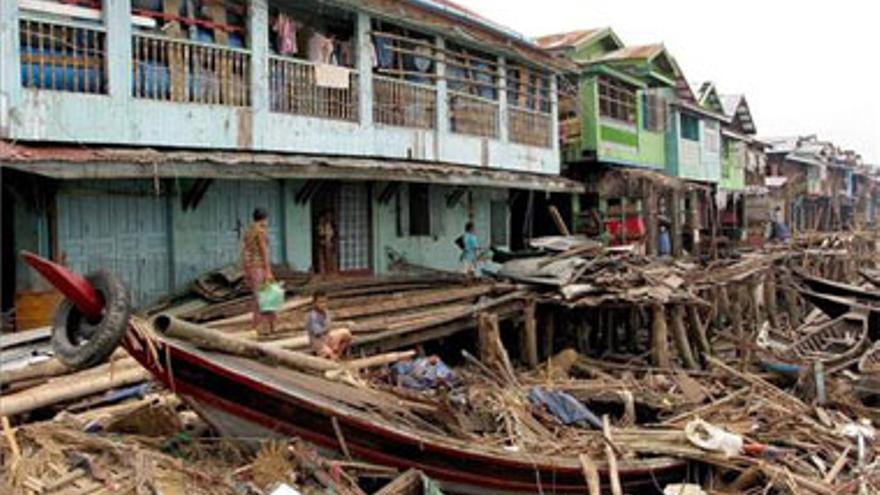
250 399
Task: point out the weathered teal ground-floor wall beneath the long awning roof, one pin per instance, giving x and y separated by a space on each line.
153 244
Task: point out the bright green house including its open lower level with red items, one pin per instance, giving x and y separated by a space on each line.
613 123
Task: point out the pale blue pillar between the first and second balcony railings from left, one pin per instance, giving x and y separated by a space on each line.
117 20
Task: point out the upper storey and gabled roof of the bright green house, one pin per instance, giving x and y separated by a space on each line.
614 111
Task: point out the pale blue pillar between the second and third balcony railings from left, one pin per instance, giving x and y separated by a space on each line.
258 43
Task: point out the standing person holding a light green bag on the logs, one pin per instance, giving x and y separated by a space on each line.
257 269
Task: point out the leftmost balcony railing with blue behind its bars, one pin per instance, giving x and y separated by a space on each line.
63 55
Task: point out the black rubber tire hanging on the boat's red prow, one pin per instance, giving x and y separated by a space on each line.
103 337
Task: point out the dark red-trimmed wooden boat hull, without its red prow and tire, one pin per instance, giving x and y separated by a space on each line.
248 400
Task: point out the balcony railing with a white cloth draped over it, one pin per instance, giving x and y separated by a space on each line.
294 88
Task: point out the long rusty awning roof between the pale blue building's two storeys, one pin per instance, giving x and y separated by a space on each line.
76 162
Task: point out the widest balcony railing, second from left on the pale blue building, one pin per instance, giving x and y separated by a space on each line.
180 70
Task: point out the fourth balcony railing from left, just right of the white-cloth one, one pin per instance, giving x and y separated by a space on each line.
404 103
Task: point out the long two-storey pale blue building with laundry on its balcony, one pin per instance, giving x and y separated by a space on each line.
140 135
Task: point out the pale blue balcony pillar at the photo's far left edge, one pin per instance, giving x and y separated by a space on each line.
10 65
